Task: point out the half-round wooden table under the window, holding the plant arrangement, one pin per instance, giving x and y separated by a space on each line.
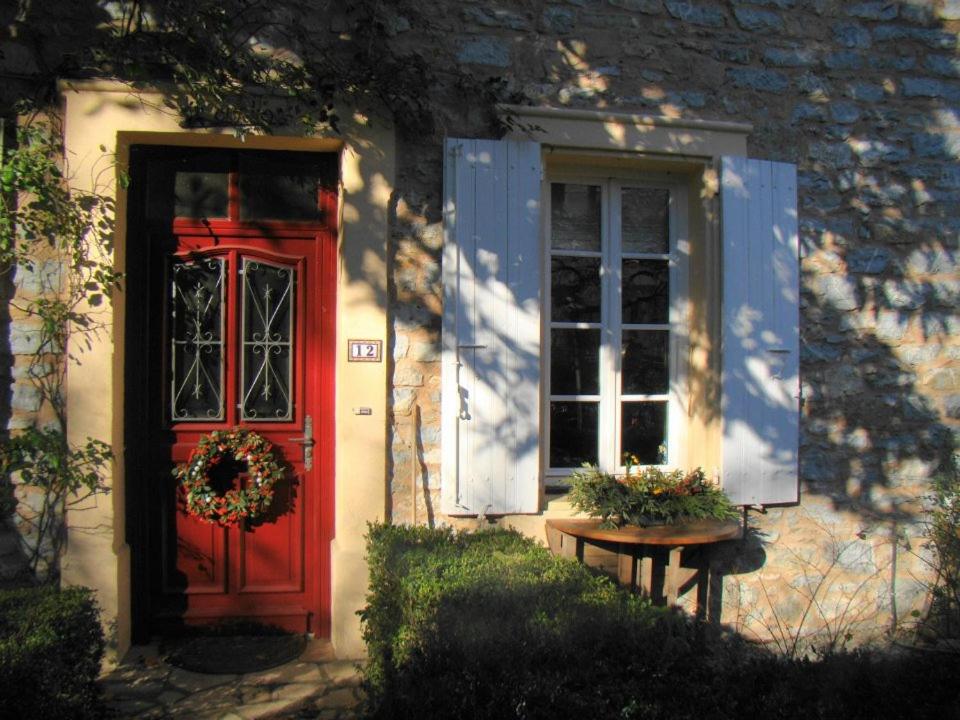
651 559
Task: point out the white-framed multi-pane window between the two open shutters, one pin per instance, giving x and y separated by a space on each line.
617 267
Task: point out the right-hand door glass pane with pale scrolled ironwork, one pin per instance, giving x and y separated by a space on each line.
267 367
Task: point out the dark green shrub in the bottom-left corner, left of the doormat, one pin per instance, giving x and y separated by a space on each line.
51 645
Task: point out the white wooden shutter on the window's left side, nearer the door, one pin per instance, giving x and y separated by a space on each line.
491 327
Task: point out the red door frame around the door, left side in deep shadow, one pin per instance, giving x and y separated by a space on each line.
145 391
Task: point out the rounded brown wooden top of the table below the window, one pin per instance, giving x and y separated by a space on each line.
693 532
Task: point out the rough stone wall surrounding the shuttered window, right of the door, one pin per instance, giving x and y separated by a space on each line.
865 98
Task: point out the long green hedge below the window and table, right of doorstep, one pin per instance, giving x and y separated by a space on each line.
491 626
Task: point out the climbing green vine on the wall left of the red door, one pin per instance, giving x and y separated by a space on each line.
60 238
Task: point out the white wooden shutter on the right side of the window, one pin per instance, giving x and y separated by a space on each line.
760 336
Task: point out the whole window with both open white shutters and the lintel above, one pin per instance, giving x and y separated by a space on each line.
576 310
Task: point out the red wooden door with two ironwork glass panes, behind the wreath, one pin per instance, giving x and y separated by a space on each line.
248 342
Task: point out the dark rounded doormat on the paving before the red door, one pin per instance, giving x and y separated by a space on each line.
232 654
